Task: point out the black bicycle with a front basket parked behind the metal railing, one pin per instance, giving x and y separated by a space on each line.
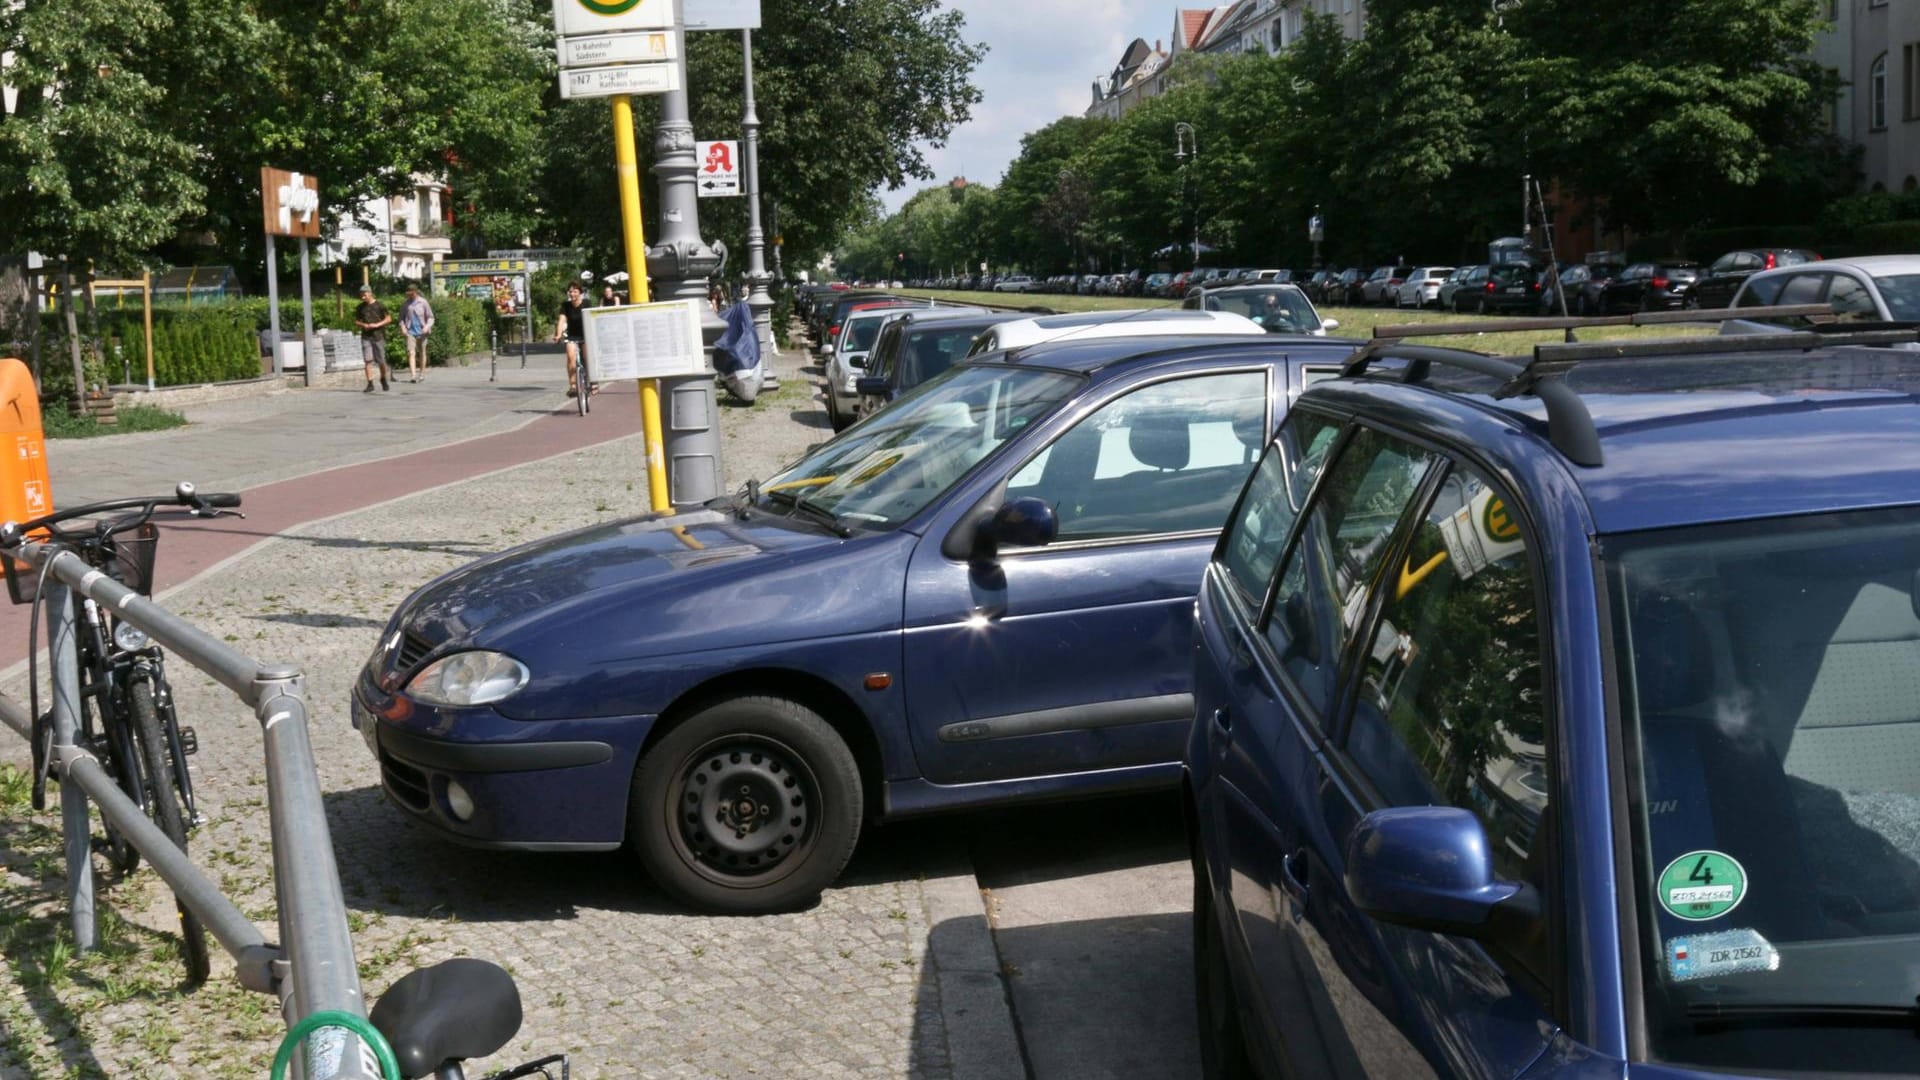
128 714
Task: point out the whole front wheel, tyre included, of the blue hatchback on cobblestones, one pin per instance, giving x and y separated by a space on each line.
746 808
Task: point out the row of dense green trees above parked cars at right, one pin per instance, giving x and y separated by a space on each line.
1414 139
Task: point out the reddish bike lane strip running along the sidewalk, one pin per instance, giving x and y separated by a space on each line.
191 547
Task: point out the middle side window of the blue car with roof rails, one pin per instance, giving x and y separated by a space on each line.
1339 549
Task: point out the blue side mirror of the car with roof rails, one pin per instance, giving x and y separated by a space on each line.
1431 870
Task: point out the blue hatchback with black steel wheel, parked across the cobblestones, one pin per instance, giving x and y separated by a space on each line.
982 595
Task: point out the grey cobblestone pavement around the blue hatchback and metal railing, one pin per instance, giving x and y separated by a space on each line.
608 970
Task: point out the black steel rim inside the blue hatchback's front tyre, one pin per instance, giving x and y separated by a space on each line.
746 812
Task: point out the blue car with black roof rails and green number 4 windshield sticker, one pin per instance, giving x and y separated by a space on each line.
1562 720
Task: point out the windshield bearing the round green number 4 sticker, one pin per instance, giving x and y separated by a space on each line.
1771 702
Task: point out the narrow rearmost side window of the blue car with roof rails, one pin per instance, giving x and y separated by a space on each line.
1259 533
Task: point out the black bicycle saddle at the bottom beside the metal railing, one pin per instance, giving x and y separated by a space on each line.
450 1012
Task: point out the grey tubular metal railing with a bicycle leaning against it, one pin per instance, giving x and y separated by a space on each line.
312 970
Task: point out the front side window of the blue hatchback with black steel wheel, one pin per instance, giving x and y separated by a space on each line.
1164 458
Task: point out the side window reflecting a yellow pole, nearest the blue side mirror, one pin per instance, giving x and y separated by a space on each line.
1452 706
